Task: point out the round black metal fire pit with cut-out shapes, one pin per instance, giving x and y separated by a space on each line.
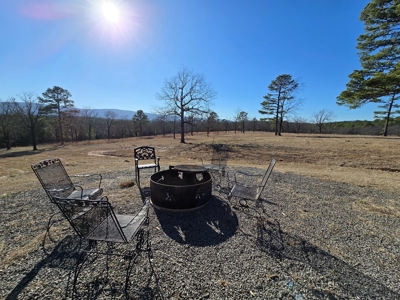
183 187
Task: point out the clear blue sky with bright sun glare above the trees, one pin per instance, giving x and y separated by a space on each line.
239 46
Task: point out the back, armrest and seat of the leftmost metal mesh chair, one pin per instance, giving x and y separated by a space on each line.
57 183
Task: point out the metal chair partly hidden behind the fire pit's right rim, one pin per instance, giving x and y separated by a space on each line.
216 164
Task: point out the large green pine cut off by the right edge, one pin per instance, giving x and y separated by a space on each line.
379 79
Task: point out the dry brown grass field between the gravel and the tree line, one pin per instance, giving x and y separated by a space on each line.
358 160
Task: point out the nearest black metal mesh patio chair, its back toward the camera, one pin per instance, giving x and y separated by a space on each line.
94 221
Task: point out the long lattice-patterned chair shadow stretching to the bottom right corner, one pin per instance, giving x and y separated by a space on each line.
278 244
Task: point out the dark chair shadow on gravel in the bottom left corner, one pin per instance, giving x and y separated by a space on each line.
64 255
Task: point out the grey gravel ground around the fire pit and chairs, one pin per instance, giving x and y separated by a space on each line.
305 239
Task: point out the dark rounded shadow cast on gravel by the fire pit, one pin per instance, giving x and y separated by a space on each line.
209 225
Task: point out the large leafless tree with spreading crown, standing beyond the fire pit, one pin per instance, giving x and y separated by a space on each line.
187 92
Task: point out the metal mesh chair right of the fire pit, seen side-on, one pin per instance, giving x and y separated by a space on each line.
253 186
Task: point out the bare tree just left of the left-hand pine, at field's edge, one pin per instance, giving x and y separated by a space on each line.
28 112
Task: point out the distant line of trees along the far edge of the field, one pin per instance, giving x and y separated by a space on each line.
27 121
